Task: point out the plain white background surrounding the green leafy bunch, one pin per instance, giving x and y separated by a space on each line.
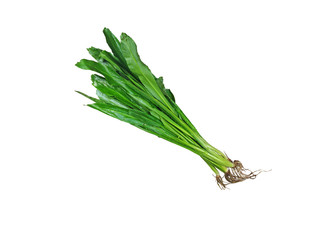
245 72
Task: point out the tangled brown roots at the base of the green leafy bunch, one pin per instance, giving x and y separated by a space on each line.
236 174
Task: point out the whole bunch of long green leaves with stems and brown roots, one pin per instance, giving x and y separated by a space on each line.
128 90
